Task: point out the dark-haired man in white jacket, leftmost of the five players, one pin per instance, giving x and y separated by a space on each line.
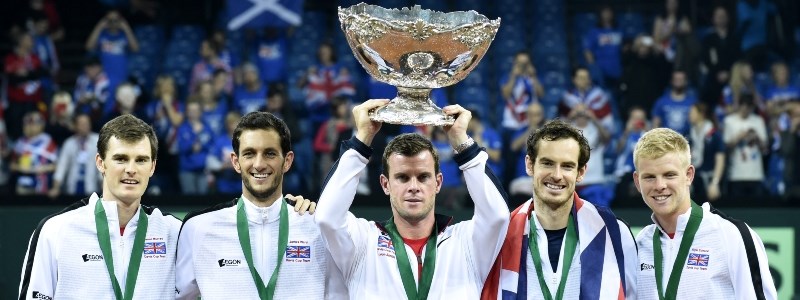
98 247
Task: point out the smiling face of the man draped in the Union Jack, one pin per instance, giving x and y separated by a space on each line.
555 171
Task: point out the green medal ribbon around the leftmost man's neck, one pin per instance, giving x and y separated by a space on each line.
103 237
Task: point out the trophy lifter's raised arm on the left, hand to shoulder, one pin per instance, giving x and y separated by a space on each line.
338 228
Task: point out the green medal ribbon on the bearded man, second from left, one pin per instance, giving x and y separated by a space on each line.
264 292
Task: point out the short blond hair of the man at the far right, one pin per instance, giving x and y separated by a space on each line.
658 142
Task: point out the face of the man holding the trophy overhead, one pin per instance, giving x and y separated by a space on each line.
412 184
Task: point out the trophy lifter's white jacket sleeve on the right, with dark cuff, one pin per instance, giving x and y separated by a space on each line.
491 218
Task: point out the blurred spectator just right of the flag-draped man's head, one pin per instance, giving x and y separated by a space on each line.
592 187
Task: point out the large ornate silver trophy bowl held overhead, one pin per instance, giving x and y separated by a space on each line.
416 50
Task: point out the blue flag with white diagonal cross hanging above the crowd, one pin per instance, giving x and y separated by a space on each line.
263 13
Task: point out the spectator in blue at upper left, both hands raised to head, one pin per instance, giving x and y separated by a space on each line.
112 37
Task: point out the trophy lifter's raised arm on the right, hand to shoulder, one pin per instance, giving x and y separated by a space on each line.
490 222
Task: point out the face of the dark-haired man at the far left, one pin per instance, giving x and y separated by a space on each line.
126 169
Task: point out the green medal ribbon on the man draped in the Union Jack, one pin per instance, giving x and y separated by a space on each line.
570 246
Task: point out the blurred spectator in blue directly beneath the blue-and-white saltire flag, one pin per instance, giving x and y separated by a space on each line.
270 54
